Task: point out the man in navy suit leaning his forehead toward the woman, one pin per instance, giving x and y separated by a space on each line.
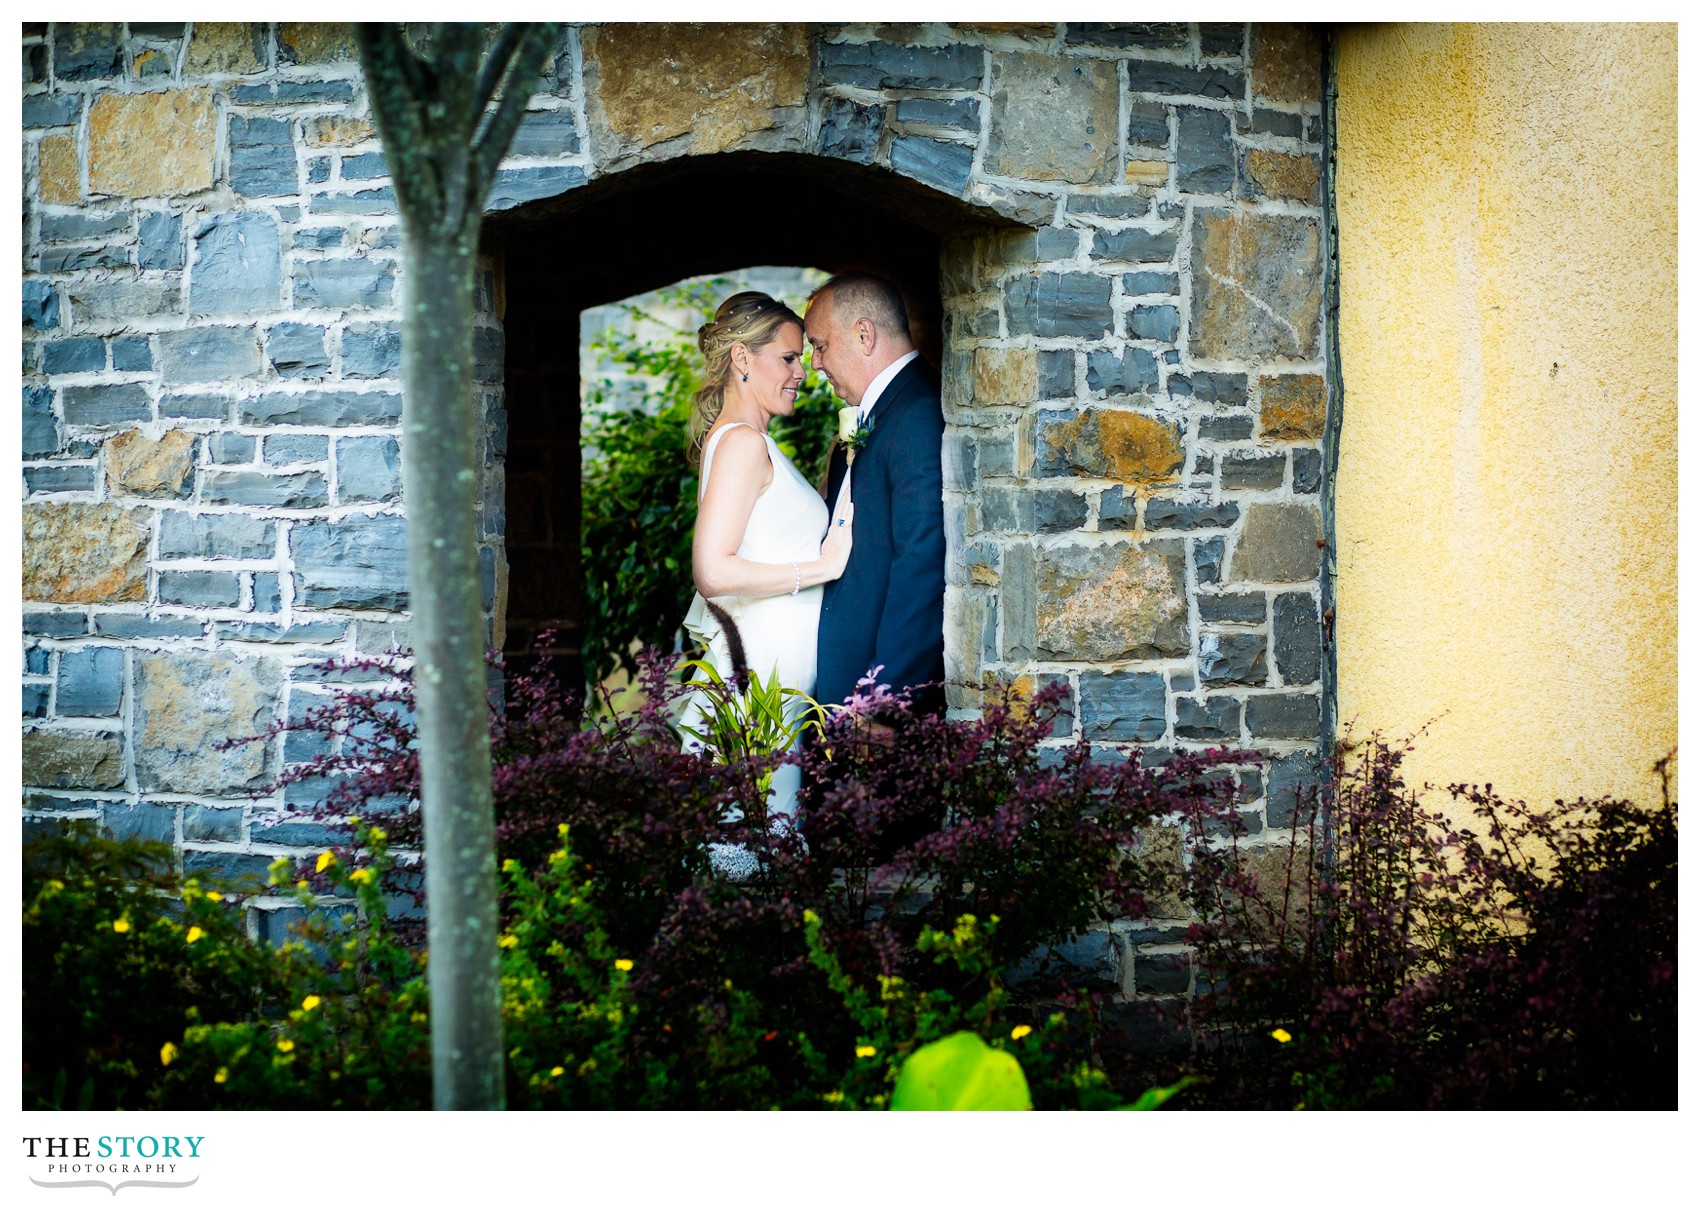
888 608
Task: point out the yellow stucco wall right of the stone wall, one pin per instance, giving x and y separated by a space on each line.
1507 485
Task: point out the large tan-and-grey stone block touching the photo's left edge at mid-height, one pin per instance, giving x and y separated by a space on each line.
86 553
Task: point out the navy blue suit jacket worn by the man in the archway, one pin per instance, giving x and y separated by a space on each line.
890 606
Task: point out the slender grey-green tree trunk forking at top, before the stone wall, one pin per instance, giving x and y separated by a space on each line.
443 142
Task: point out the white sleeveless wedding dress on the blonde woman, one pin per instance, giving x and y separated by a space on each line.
779 633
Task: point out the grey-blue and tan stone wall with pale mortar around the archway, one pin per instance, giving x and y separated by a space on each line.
1133 371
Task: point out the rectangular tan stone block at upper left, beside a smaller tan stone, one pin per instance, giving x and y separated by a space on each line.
152 144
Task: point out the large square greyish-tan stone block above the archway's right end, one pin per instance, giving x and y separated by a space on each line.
1053 118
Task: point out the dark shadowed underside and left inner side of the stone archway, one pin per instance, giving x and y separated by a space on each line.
650 227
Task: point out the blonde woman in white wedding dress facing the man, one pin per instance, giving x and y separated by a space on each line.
759 552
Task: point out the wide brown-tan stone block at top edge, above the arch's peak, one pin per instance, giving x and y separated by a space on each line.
720 84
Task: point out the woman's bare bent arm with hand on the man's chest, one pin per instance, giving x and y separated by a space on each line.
740 473
